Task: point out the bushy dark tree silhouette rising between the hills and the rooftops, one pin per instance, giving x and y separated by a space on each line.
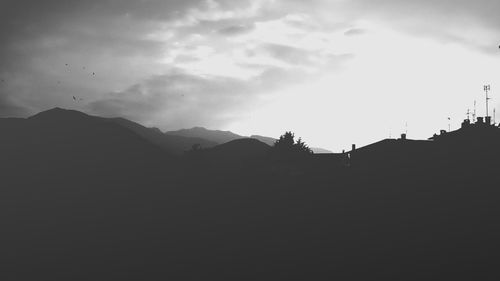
287 148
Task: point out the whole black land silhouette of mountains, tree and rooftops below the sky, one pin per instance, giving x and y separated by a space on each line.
86 197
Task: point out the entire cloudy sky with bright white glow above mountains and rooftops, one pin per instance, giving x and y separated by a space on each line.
335 72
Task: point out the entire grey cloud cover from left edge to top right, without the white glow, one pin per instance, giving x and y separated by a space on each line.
182 63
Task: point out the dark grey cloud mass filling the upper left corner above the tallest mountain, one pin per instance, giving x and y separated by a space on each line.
107 37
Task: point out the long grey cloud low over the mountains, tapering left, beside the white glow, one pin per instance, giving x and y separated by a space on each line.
178 99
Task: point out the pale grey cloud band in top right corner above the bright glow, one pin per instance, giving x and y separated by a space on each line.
473 24
